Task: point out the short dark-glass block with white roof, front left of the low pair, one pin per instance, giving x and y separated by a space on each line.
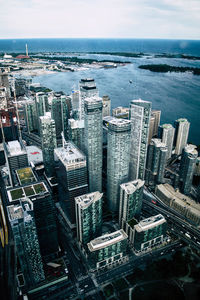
107 250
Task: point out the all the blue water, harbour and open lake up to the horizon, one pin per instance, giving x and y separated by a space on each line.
175 94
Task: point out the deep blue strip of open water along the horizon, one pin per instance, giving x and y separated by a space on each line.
95 45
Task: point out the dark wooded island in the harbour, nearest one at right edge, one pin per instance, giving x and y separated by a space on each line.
163 68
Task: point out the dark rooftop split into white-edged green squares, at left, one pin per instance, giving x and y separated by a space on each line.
27 191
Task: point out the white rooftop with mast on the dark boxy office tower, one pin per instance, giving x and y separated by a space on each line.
69 155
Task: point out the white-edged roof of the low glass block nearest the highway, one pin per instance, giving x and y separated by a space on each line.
149 223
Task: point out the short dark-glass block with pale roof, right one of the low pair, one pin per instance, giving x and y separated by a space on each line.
149 232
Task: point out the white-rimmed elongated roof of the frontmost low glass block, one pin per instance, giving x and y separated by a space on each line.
107 240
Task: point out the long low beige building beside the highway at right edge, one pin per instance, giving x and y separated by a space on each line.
179 202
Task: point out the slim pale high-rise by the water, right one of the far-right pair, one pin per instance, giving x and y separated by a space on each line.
182 127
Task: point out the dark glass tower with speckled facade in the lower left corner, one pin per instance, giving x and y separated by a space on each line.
24 231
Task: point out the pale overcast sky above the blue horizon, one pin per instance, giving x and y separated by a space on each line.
172 19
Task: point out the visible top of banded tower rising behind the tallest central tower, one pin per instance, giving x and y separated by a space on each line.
87 89
